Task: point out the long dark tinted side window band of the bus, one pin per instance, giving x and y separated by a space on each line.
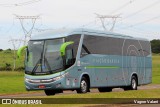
114 46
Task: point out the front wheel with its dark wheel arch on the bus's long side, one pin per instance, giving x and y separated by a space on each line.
85 80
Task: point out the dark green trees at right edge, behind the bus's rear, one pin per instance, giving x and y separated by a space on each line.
155 45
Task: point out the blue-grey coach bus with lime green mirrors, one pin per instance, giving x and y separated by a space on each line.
81 59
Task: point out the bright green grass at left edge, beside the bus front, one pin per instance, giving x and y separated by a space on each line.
12 82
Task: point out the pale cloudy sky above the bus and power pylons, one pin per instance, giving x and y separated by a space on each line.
138 18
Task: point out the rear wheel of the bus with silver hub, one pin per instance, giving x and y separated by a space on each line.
133 84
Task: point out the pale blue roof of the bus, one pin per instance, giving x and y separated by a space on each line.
66 32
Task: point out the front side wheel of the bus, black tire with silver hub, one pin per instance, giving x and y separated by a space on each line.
84 86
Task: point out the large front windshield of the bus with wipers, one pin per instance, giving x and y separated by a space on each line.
43 57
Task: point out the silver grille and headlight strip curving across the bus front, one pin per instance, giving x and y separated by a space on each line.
45 80
